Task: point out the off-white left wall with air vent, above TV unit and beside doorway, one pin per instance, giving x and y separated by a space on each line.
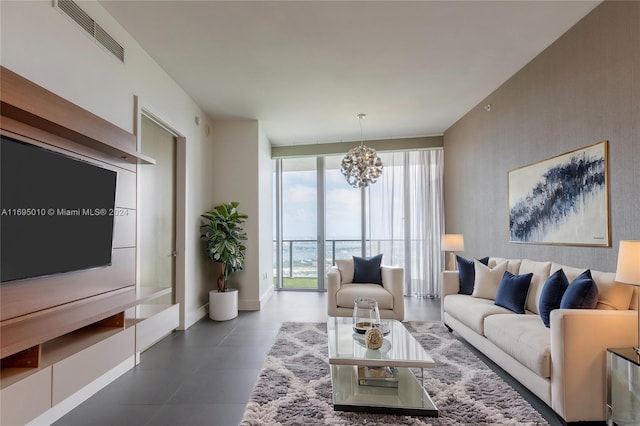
40 44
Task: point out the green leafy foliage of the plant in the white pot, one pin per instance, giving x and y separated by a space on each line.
224 238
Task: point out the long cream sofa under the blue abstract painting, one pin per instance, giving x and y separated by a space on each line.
564 365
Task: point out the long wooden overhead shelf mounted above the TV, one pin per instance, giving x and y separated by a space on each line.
27 102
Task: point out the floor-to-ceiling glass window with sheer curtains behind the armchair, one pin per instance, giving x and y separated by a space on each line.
320 218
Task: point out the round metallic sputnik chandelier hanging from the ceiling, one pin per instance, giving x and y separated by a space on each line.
361 166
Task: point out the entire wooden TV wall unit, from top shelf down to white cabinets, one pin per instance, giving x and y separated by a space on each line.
66 336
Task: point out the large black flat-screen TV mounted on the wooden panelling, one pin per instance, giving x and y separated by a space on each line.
56 212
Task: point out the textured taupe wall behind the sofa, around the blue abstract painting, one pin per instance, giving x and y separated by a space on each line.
582 89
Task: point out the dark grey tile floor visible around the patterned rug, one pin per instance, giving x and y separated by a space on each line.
203 376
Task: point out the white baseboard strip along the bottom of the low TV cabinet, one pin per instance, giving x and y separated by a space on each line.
65 406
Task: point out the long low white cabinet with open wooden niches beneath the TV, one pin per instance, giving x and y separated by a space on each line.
76 365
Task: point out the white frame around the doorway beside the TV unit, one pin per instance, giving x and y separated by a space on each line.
180 200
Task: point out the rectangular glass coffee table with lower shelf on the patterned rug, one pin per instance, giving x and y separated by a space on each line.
381 380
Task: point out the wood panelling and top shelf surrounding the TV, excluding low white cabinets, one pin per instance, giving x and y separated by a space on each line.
33 311
